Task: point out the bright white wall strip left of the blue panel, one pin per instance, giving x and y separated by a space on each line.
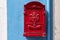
3 20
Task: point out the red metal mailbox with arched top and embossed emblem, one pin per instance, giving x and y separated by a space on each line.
34 19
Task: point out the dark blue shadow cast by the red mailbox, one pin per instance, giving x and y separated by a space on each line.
41 38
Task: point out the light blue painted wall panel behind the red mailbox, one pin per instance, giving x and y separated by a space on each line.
15 20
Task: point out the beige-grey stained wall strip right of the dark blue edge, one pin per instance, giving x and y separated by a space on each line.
56 19
